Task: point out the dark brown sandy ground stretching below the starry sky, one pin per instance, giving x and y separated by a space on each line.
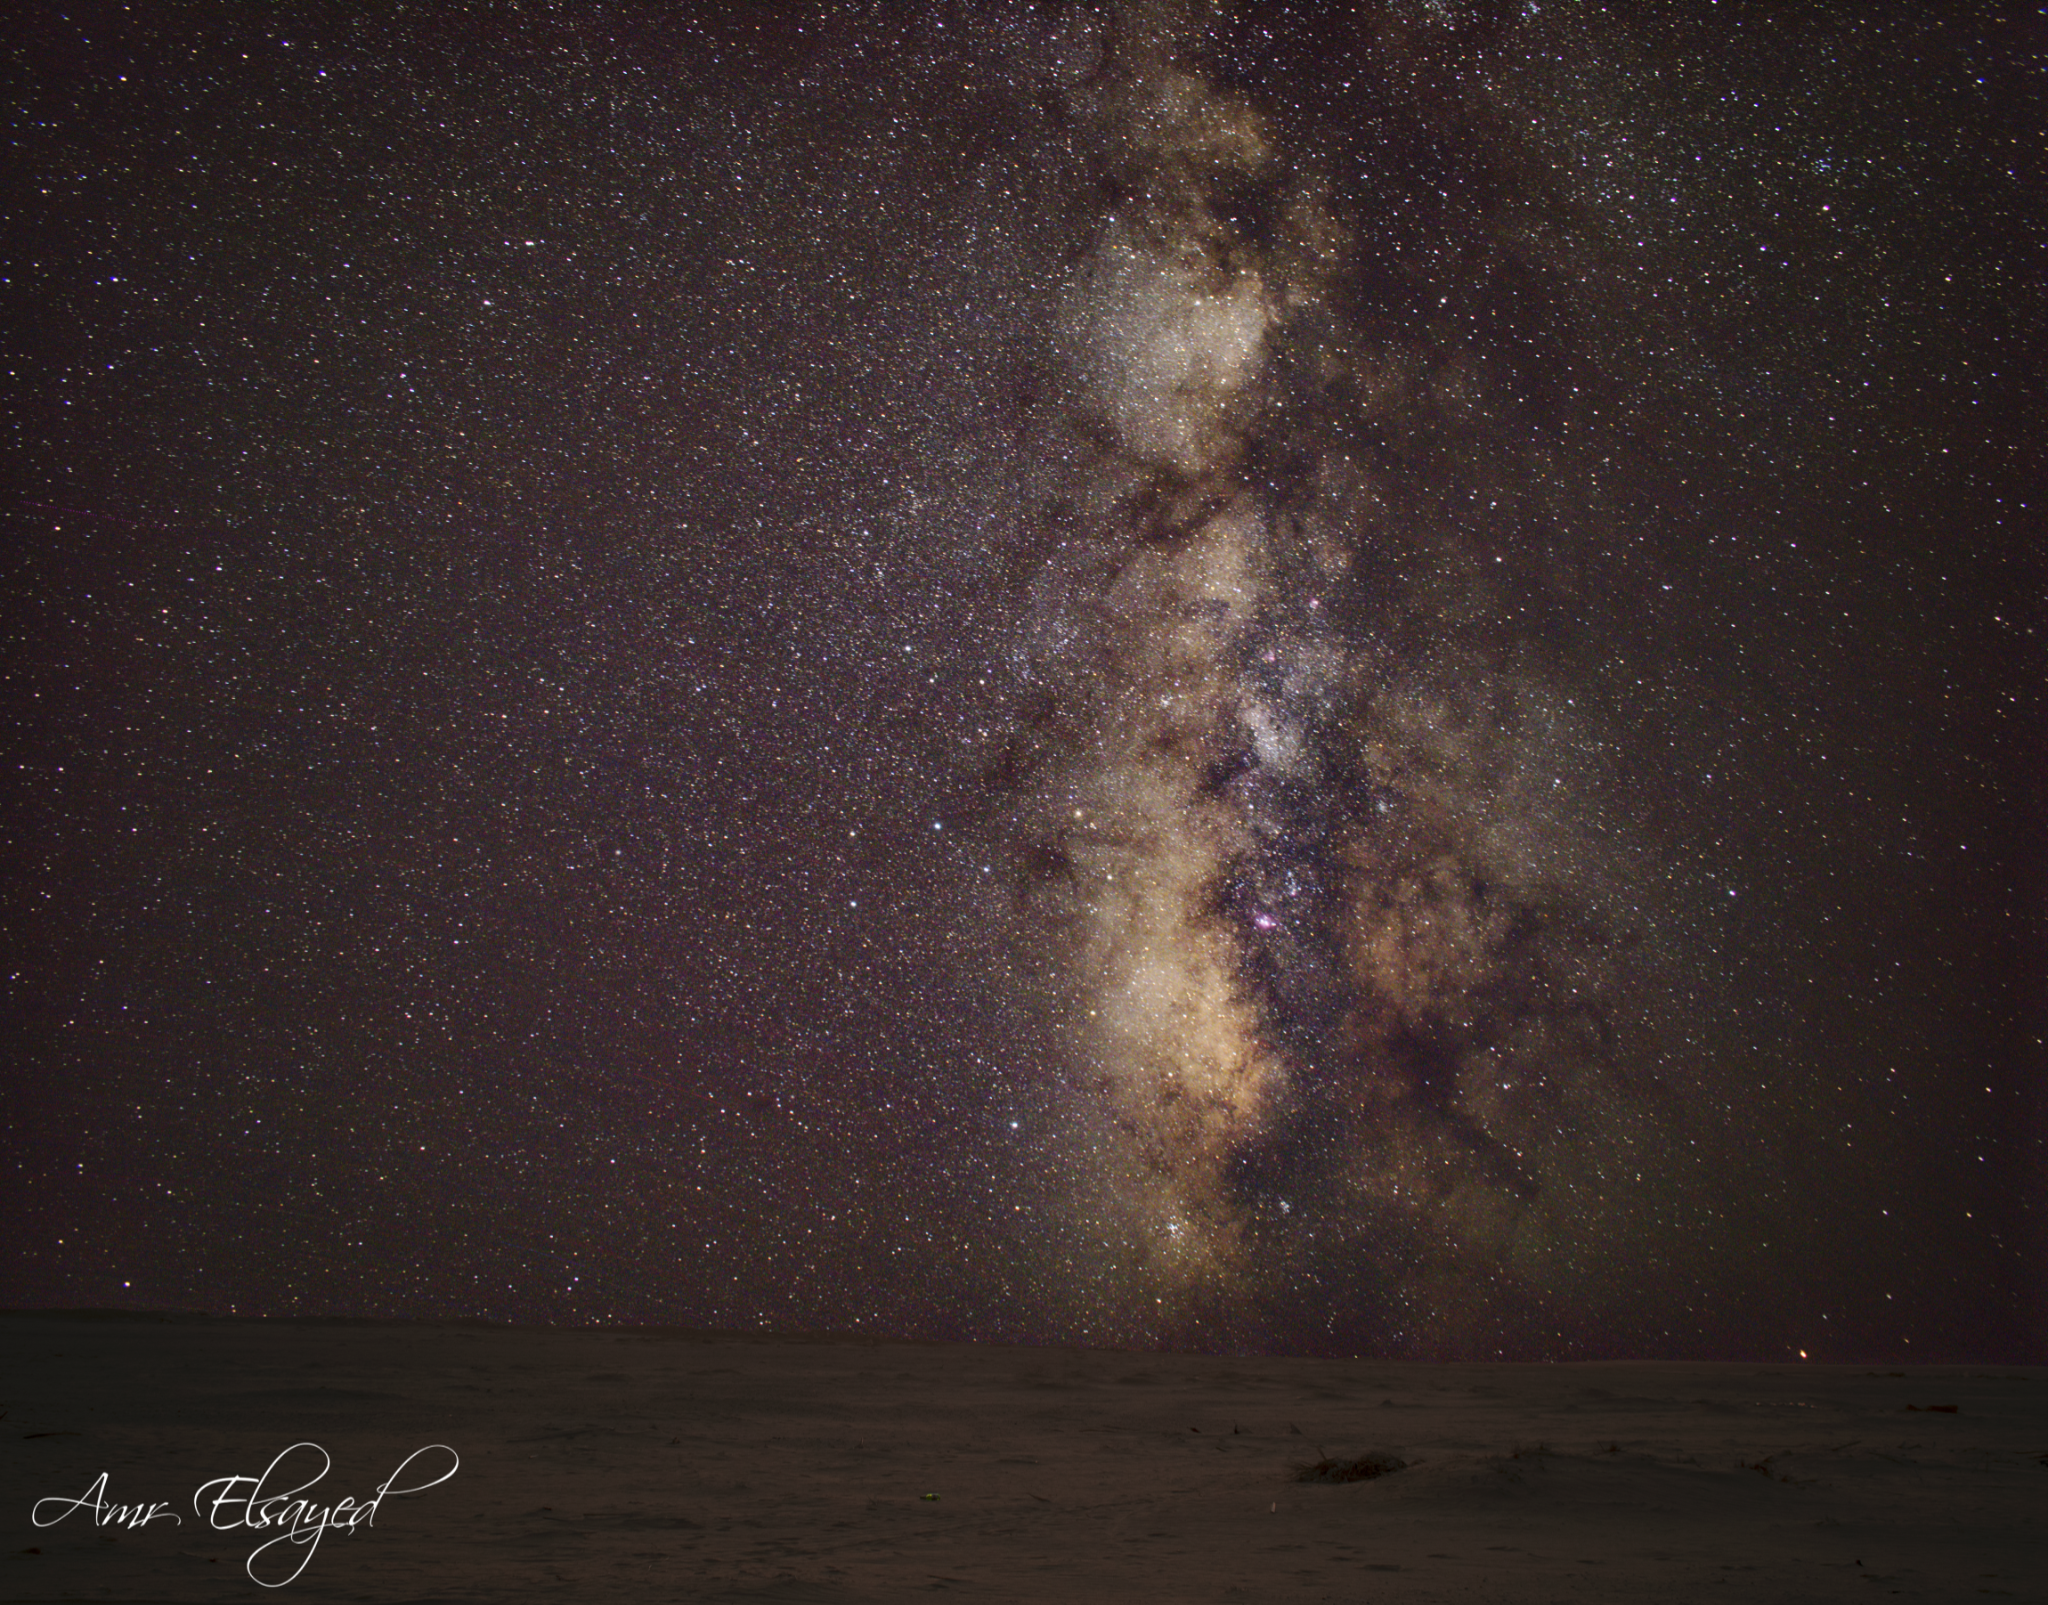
648 1465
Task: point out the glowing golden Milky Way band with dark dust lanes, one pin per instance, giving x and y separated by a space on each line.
1295 801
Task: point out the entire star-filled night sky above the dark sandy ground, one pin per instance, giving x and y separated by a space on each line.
1273 679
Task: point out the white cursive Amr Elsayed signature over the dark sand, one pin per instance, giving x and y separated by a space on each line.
261 1504
